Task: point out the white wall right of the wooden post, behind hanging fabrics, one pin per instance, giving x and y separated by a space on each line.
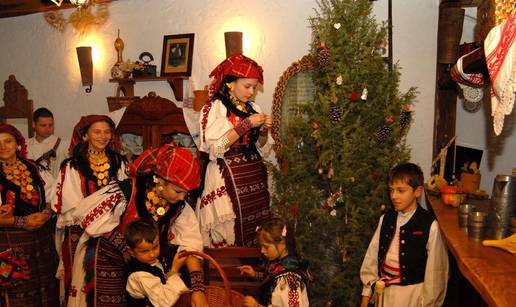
475 130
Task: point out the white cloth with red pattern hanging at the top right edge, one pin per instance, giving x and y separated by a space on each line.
500 51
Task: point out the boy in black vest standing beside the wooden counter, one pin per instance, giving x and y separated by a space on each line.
406 252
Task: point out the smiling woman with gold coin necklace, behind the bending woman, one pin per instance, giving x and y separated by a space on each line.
92 164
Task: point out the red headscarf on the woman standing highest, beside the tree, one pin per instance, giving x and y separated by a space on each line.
236 65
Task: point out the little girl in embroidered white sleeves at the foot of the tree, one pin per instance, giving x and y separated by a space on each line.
286 277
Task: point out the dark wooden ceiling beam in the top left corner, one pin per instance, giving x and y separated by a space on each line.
11 8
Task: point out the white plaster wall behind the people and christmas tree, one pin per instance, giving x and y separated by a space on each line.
44 60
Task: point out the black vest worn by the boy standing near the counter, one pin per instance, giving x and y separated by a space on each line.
412 246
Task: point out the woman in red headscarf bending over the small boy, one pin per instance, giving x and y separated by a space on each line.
161 178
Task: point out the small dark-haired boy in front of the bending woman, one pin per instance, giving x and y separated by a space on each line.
147 284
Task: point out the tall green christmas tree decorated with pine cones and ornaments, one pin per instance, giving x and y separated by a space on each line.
332 179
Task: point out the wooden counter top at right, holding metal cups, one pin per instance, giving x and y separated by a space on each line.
490 270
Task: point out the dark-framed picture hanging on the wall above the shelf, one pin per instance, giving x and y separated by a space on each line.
177 55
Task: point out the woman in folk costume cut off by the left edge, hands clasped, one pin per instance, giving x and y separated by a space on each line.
24 223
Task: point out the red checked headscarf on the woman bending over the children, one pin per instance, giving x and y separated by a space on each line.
175 164
